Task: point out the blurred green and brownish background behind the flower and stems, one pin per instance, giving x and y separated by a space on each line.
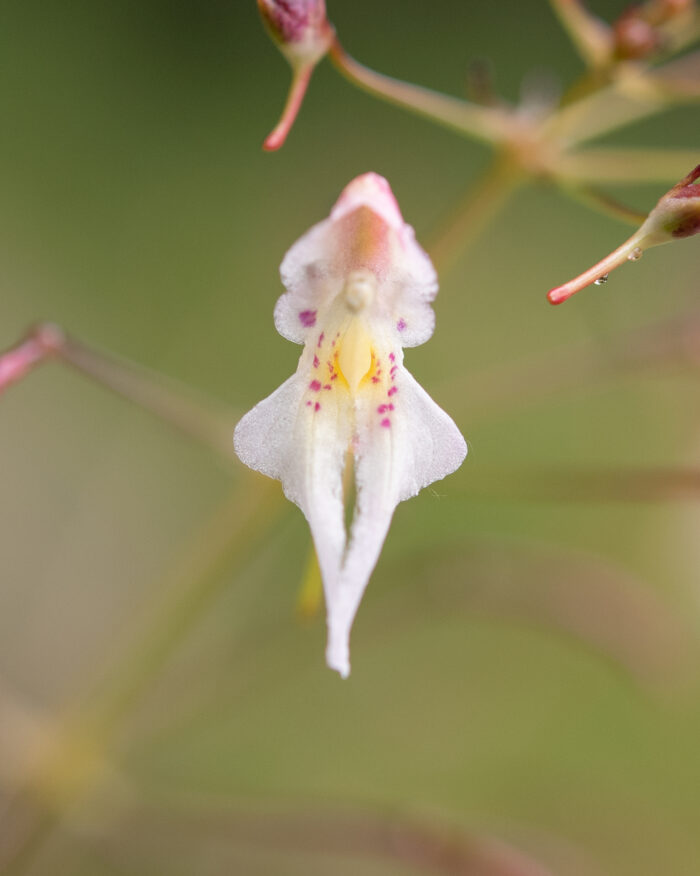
523 665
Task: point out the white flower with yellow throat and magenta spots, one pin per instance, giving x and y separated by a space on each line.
359 289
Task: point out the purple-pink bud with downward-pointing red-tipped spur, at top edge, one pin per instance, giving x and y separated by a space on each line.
304 35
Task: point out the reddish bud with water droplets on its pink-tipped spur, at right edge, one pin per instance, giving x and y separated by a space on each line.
676 215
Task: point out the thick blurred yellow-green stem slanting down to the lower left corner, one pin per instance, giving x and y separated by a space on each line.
72 759
